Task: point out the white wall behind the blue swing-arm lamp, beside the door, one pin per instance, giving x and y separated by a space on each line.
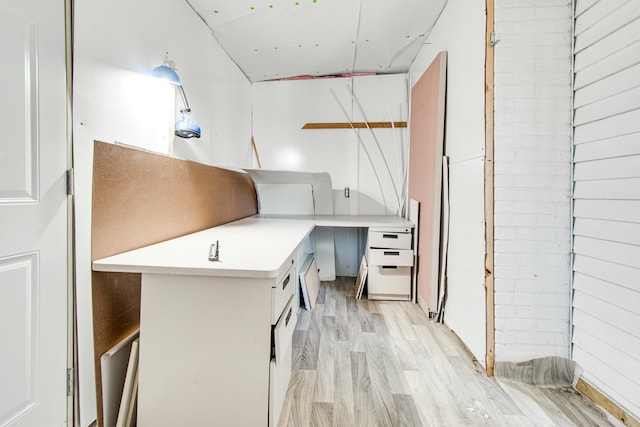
116 44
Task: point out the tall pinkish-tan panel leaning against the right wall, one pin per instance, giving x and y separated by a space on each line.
425 172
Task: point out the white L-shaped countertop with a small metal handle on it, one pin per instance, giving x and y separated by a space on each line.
251 247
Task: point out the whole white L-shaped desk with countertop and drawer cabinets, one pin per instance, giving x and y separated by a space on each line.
216 337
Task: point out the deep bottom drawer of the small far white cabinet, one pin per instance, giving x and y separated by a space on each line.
385 282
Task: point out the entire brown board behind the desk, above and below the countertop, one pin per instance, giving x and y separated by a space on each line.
141 198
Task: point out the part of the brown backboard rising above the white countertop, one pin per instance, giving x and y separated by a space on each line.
141 198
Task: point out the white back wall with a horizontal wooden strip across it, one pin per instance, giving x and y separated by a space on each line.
281 108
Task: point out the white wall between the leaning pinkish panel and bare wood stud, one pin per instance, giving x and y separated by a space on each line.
460 31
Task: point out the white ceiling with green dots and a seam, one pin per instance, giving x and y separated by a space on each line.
275 39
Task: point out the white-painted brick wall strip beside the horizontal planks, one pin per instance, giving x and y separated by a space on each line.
532 178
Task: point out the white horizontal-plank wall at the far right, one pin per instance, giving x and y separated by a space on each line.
606 303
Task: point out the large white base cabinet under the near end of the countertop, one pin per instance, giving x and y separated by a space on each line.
204 352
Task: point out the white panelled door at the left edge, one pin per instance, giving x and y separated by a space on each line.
33 214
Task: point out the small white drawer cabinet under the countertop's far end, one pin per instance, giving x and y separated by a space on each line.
390 258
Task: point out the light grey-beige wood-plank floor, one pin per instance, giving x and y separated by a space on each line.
380 363
